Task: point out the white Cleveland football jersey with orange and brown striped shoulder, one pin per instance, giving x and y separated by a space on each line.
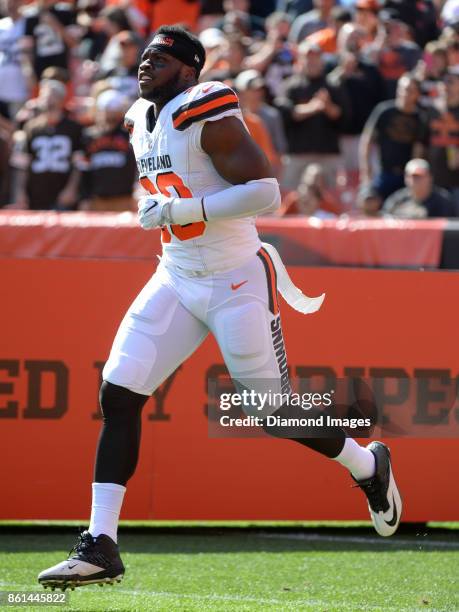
171 160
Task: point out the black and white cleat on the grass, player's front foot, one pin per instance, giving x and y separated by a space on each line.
91 561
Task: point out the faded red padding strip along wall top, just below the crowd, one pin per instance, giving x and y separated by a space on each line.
364 242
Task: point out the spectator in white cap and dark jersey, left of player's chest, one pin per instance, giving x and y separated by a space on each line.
108 165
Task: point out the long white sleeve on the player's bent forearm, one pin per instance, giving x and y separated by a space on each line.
252 198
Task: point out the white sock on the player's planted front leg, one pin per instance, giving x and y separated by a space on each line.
107 499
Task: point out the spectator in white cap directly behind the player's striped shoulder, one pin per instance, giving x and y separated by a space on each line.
250 86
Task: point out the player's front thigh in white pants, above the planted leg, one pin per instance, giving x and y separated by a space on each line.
156 335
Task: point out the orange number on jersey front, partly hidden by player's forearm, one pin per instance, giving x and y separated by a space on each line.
164 181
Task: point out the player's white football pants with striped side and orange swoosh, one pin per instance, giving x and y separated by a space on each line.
175 311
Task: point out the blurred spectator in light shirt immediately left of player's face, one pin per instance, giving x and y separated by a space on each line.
123 77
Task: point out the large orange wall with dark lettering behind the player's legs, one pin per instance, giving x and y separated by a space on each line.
58 318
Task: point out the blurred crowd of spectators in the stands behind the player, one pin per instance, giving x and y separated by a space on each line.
355 103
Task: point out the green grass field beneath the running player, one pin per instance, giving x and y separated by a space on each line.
334 569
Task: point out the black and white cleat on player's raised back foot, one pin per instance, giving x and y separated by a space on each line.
384 501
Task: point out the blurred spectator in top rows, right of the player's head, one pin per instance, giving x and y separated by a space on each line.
274 56
